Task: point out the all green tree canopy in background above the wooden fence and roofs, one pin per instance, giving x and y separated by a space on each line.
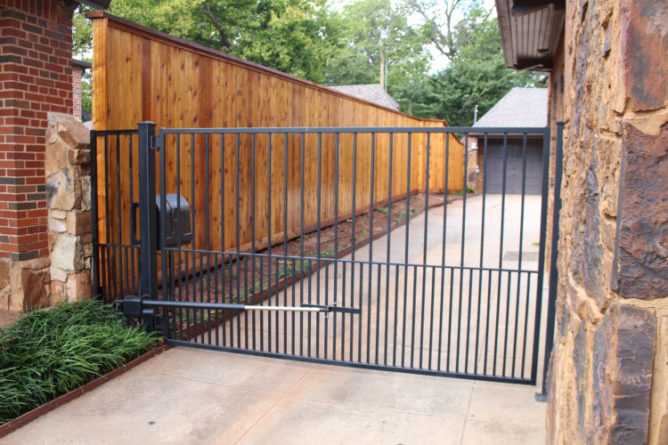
348 45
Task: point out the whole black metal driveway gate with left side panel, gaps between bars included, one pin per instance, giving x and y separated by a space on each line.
418 281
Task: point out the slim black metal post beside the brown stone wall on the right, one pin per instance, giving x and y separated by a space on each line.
554 253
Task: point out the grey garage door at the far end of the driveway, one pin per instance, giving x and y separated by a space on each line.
514 167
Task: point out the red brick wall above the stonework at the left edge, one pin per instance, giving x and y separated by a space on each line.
35 78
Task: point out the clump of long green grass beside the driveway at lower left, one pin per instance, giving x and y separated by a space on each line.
46 354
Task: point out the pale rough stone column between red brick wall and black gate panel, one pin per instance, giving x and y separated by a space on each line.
69 208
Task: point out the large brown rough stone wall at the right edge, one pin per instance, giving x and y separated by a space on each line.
609 369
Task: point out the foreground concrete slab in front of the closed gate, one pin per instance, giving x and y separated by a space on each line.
192 396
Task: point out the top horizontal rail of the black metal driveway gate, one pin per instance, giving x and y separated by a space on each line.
542 131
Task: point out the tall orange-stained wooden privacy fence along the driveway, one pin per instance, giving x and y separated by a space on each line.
142 75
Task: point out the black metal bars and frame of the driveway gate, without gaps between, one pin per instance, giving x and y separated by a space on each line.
155 311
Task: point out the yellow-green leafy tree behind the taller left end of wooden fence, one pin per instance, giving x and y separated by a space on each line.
294 36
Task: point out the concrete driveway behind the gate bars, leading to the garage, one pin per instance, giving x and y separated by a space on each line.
428 318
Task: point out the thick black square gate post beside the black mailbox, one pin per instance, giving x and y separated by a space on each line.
148 218
